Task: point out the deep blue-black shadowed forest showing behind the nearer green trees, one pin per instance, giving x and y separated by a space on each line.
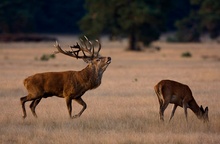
59 16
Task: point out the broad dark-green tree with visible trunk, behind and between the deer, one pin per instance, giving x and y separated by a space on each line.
139 20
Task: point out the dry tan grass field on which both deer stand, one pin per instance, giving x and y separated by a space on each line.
124 109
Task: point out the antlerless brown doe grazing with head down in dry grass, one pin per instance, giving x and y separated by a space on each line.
169 91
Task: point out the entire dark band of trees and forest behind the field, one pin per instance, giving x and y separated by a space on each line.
139 20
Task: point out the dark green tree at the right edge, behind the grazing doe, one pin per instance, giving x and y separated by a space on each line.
204 17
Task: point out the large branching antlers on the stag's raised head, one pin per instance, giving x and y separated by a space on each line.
80 48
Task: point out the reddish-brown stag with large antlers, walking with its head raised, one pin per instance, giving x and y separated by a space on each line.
70 85
